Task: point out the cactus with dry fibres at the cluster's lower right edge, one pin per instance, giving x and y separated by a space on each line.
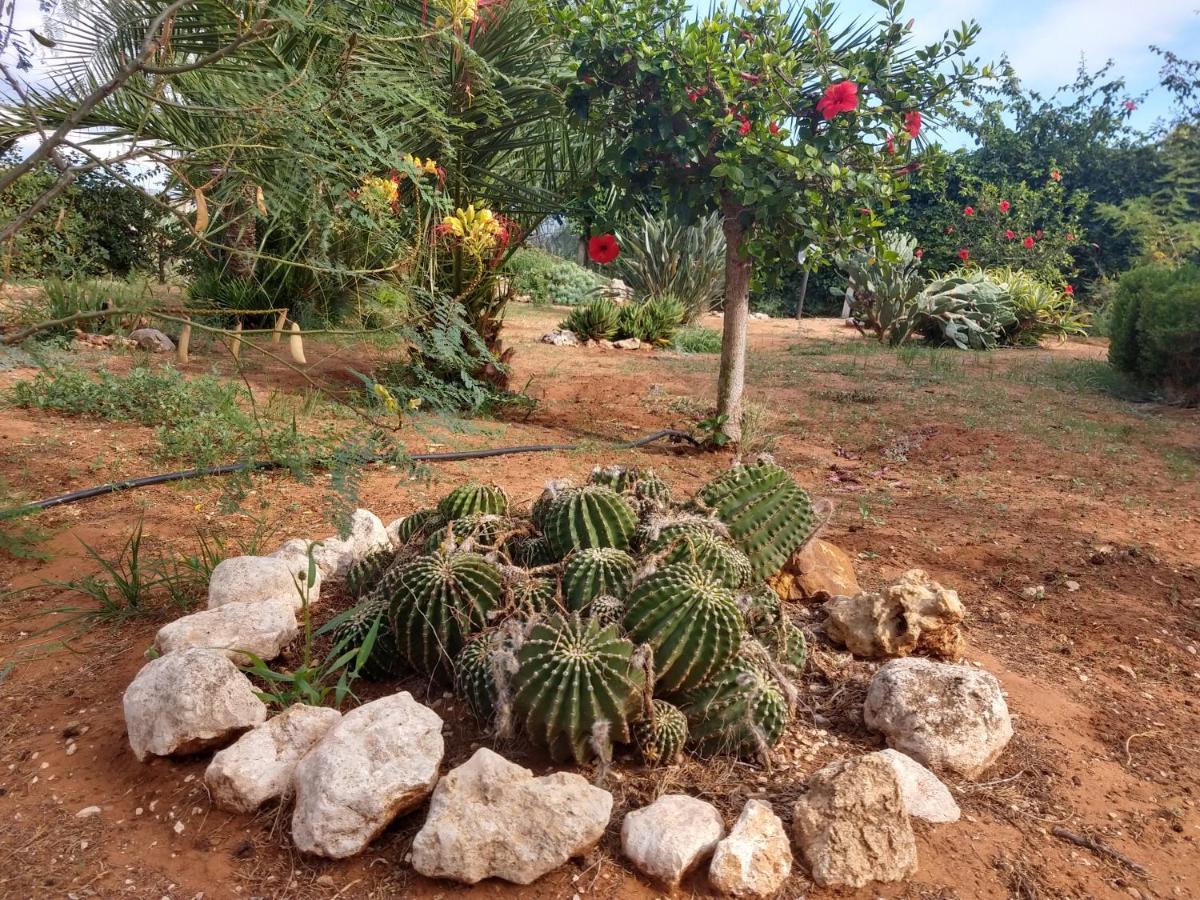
741 712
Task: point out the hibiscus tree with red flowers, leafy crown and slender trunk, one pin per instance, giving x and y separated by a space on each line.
800 130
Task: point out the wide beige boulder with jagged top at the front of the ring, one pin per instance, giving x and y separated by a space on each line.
491 819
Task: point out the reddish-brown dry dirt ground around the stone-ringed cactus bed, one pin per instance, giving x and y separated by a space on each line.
997 473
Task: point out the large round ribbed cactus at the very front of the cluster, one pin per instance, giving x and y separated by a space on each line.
578 687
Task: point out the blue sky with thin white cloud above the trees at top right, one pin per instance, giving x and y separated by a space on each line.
1046 40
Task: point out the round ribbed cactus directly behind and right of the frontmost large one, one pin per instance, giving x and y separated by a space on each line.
692 622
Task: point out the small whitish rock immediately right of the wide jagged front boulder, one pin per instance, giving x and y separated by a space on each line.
671 837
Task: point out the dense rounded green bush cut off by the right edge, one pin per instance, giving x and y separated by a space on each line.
1155 328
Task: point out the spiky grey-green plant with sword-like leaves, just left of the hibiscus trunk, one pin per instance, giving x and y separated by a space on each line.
665 256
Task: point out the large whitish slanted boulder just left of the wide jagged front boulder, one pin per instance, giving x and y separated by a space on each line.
380 761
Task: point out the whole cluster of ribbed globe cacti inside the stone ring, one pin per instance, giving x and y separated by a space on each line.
607 615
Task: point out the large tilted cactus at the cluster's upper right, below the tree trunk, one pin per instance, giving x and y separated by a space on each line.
767 514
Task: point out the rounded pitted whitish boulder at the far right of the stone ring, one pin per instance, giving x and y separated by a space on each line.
949 718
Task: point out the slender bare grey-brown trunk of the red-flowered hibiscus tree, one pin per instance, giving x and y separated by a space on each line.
731 381
